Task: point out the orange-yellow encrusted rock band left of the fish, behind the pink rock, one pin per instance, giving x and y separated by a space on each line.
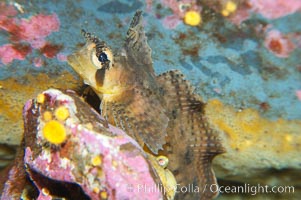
15 92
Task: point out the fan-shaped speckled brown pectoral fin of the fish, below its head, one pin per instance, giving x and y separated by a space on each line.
143 118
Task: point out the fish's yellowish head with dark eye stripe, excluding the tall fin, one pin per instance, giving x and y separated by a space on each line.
98 67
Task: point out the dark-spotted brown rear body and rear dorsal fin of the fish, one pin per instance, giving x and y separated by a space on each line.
192 144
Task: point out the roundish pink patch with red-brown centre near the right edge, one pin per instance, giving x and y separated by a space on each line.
279 44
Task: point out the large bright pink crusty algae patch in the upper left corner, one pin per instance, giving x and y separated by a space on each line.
31 32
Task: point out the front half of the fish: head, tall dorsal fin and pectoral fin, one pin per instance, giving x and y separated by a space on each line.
126 84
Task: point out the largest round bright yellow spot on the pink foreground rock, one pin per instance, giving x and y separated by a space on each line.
54 132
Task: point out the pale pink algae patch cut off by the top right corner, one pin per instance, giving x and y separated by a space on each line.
273 9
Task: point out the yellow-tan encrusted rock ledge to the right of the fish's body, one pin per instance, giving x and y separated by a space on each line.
256 147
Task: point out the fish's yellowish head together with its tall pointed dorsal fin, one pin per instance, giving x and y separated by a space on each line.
113 74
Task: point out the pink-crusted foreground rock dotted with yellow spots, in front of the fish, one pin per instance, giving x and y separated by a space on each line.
94 161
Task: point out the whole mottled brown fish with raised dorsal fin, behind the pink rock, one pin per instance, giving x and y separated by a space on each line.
160 112
